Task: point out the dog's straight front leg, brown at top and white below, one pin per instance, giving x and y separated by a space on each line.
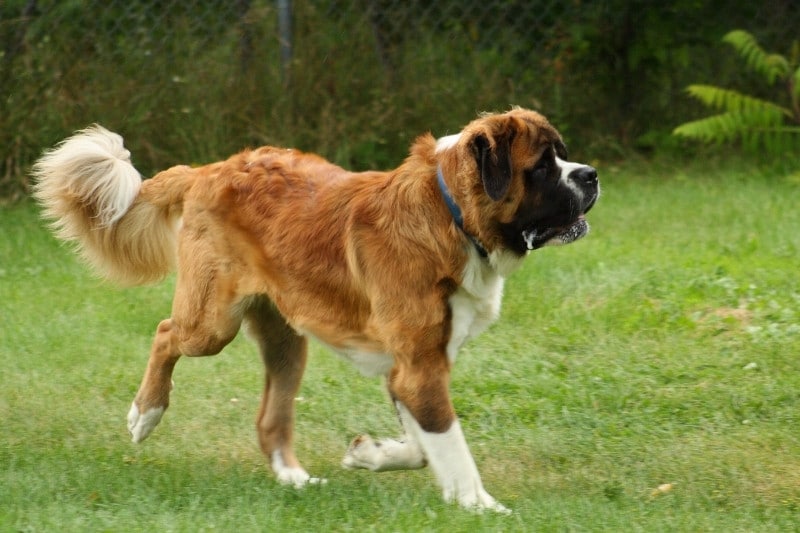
426 412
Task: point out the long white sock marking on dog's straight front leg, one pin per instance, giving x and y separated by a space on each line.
453 465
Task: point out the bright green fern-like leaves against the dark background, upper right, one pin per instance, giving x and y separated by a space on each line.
757 122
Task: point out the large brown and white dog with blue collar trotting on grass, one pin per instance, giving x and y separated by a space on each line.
393 270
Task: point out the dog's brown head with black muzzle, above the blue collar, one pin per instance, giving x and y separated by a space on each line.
514 184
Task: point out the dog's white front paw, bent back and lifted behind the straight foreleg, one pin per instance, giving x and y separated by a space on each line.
383 455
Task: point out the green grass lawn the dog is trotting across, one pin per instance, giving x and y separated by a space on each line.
660 350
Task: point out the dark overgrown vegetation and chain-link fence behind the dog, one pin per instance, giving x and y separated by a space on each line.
194 81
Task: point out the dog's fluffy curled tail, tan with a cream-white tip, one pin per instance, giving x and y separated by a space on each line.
92 194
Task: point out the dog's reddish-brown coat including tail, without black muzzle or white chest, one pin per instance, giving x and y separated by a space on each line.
291 244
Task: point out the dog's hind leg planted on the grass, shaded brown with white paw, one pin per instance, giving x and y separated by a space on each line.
284 353
